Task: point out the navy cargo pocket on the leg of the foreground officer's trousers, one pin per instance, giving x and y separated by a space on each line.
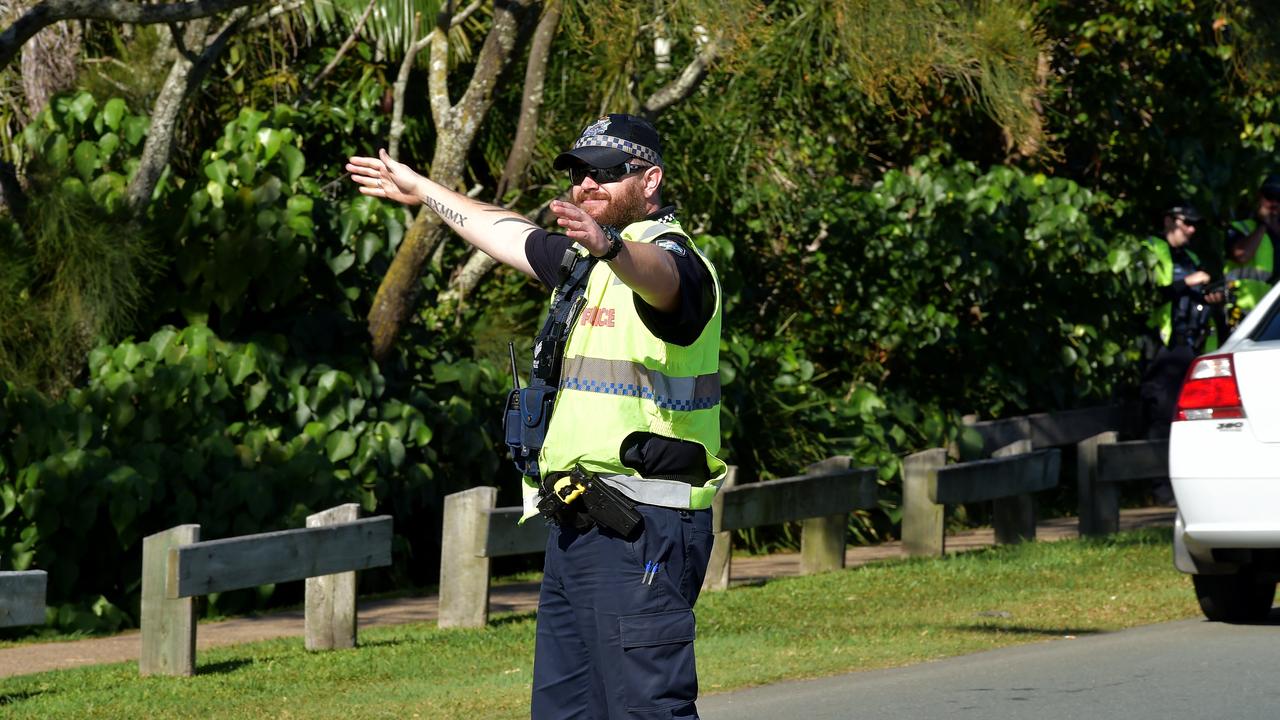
659 660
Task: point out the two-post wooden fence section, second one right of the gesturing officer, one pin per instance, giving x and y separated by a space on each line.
1009 481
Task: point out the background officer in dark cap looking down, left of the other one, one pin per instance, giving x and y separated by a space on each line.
1180 323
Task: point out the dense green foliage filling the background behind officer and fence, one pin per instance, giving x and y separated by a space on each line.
918 215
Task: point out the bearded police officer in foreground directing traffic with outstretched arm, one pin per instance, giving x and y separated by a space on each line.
627 368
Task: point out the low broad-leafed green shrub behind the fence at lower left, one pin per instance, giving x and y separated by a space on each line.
189 429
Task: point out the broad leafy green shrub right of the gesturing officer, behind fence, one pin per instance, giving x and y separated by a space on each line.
939 291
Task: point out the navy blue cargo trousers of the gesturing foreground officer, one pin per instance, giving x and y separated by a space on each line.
616 621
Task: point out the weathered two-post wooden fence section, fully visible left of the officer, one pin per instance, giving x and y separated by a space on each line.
177 567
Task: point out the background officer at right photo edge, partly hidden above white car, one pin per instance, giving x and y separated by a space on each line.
1250 267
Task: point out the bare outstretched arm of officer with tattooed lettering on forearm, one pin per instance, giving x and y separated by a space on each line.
497 233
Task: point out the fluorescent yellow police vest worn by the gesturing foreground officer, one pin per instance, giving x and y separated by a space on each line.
618 379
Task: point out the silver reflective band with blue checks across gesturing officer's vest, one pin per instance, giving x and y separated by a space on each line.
620 377
